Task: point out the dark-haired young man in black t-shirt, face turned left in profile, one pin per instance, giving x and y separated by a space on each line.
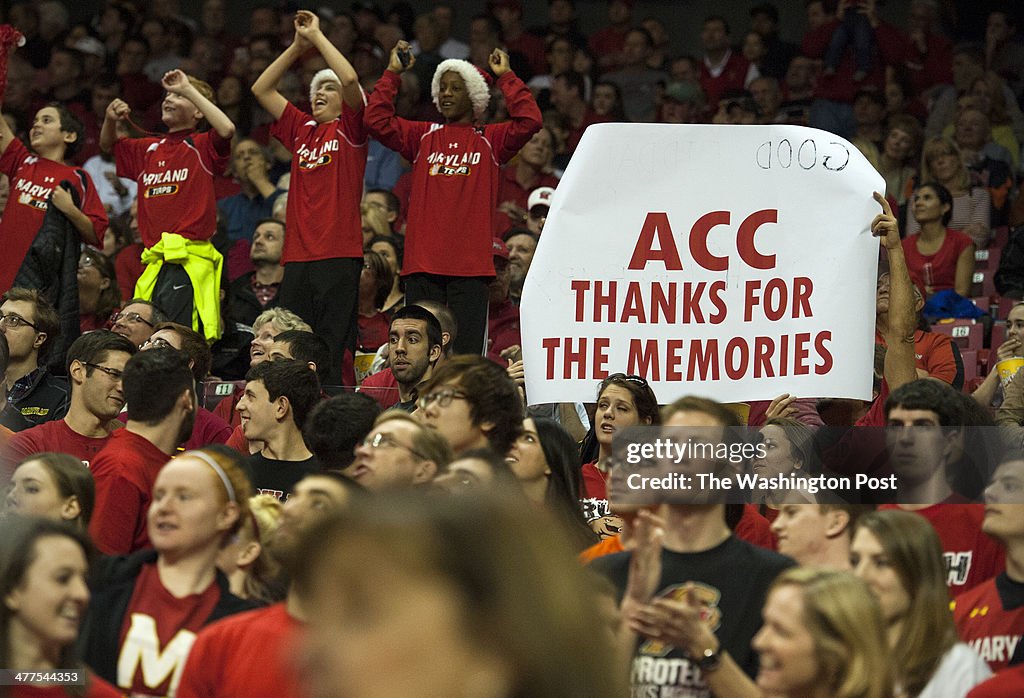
278 399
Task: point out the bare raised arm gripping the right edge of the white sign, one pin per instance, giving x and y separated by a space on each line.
901 362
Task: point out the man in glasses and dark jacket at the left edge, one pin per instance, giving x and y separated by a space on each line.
31 326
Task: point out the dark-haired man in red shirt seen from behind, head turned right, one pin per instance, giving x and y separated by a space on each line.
161 397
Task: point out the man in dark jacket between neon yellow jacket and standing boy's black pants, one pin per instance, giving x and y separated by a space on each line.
252 293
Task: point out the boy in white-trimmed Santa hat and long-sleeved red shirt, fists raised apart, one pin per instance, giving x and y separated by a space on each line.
456 173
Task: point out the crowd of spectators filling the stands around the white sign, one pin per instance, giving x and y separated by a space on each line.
266 427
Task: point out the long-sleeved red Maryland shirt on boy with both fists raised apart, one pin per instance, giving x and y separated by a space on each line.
456 174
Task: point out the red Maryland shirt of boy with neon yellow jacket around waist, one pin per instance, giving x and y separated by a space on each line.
176 176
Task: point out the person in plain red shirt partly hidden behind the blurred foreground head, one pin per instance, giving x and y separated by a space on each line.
245 655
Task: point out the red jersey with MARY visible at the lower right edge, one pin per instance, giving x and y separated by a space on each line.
991 620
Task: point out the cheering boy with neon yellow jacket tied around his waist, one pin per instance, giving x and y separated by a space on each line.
178 208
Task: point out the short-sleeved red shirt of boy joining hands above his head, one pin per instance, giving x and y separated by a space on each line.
328 165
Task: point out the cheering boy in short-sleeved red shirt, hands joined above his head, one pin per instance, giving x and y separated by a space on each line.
323 254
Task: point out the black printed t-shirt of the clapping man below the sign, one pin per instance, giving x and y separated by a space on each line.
733 580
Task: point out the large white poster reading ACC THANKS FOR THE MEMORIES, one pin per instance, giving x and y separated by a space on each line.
733 263
